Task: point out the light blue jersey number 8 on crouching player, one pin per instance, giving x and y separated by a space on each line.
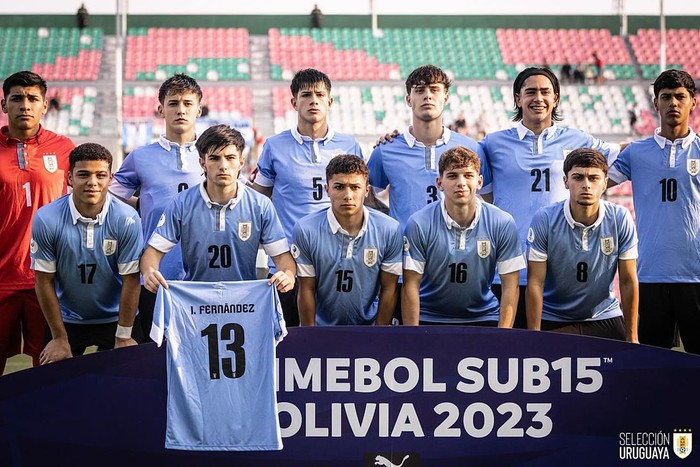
579 281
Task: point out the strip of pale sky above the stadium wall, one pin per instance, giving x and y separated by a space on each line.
383 7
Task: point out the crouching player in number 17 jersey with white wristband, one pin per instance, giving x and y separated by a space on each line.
85 253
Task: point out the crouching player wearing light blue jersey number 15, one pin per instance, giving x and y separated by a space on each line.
347 254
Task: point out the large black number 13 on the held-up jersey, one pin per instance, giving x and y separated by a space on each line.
225 365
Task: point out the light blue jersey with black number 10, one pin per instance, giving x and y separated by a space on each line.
666 192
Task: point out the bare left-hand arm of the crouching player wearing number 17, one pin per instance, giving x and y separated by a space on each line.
58 348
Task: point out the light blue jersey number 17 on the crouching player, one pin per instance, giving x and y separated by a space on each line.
88 256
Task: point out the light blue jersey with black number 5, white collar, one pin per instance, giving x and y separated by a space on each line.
295 167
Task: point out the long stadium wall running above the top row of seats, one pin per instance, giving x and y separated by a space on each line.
259 24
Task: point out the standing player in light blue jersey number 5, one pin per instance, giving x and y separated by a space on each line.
291 168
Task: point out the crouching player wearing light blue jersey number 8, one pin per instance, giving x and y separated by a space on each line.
588 240
